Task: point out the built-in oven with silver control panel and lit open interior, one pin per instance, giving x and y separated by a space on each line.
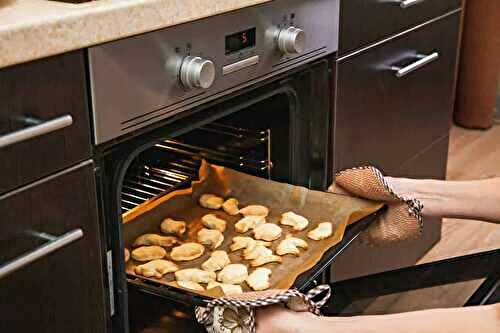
249 90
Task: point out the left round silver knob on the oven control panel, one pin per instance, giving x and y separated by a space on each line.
196 72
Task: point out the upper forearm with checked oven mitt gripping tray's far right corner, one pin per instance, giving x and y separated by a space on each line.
409 199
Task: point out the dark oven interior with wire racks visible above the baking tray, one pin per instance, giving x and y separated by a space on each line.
248 141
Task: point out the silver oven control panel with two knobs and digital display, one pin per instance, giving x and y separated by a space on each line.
140 80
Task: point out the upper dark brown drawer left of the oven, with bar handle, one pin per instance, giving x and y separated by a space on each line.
44 120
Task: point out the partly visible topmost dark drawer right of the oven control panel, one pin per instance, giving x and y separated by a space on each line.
363 22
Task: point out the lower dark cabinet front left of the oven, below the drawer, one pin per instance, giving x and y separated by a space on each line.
62 291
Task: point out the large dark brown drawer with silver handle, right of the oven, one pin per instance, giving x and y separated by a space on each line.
384 118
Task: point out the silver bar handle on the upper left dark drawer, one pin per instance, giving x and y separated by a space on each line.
37 130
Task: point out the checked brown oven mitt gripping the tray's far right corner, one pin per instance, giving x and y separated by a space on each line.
403 217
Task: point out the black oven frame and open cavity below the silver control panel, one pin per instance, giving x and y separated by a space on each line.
293 109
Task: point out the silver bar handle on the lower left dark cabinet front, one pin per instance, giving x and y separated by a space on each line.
54 243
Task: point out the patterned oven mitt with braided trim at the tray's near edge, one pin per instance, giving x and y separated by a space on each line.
236 313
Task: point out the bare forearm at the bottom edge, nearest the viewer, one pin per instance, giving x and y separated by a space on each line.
484 319
